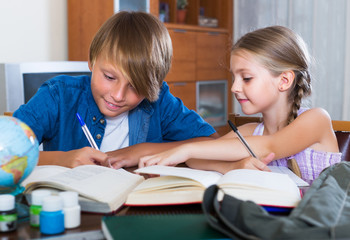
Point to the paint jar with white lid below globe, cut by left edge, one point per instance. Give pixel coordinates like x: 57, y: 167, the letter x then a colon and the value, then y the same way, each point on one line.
x: 8, y: 213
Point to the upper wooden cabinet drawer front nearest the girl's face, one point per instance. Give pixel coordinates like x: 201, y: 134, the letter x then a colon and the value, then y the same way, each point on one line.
x: 212, y: 56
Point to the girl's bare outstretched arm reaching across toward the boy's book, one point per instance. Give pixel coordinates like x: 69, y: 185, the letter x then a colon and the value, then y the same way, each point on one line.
x: 311, y: 129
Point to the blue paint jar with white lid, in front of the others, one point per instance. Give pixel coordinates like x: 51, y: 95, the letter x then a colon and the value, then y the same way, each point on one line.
x: 51, y: 215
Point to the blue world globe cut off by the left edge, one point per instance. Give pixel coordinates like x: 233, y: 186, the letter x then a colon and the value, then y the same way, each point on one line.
x: 19, y: 152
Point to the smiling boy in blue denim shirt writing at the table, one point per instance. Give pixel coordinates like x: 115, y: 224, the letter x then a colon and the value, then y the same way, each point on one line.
x: 124, y: 104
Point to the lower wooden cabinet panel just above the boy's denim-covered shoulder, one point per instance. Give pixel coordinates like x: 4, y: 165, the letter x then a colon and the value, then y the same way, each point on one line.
x: 186, y: 91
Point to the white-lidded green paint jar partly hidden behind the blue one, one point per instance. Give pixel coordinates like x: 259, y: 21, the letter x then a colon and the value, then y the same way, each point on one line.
x: 37, y: 197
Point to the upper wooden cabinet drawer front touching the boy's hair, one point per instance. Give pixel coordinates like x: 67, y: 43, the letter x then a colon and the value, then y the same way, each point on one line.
x: 184, y: 60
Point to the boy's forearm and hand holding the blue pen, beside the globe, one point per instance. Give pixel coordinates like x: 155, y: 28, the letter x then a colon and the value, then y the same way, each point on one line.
x: 73, y: 158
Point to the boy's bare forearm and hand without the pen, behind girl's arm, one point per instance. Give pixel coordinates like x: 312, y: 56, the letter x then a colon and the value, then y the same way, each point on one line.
x: 130, y: 156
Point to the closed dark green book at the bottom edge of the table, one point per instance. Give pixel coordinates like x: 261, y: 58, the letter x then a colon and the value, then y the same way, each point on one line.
x: 159, y: 226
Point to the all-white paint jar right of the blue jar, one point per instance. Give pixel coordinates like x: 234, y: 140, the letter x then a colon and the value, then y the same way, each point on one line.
x: 71, y: 209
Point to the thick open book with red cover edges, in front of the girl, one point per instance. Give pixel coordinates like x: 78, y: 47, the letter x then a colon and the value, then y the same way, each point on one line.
x: 177, y: 185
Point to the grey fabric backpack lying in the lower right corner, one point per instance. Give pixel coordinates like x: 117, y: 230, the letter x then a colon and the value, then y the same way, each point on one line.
x: 323, y: 212
